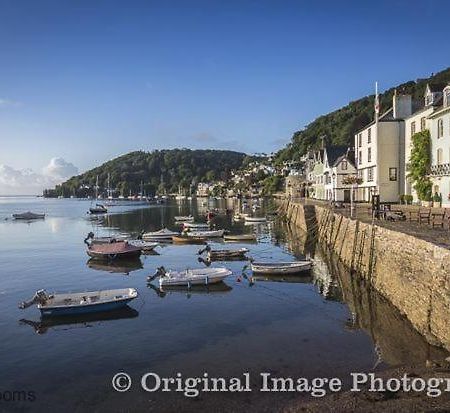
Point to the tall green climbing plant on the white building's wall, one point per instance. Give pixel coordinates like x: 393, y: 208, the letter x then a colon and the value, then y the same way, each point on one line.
x: 419, y: 164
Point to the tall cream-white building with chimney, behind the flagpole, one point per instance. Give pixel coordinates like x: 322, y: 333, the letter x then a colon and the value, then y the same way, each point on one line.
x: 380, y: 153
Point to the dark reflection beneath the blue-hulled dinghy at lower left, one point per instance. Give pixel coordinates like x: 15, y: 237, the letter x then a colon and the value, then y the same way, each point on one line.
x: 80, y: 321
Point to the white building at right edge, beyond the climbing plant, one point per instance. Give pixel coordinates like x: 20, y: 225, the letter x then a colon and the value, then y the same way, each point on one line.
x: 440, y: 148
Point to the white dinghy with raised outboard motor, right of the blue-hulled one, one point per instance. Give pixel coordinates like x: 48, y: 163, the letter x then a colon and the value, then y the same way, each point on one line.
x: 201, y: 276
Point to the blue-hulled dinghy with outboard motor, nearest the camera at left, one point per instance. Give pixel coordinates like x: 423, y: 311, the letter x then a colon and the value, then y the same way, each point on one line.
x: 80, y: 303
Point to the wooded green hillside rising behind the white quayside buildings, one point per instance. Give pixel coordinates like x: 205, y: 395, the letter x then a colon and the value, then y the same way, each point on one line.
x: 339, y: 127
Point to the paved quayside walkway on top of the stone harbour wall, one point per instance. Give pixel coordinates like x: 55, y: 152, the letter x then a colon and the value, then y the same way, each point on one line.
x: 438, y: 236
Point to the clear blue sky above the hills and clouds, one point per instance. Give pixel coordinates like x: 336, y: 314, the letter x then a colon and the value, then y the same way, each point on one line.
x: 86, y: 81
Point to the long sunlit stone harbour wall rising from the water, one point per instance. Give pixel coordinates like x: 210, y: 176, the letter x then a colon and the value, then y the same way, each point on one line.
x: 411, y: 273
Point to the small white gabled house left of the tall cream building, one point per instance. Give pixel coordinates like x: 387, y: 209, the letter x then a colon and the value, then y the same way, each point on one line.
x: 338, y: 162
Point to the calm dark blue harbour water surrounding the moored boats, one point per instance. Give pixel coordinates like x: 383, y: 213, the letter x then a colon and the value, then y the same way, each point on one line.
x: 324, y: 325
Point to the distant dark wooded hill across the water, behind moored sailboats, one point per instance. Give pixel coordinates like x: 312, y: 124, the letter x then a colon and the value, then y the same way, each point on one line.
x: 160, y: 171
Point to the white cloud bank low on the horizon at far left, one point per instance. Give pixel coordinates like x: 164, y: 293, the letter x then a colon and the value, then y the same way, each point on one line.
x: 27, y: 182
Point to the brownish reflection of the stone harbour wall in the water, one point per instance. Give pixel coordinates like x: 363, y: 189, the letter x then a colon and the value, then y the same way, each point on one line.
x: 395, y: 341
